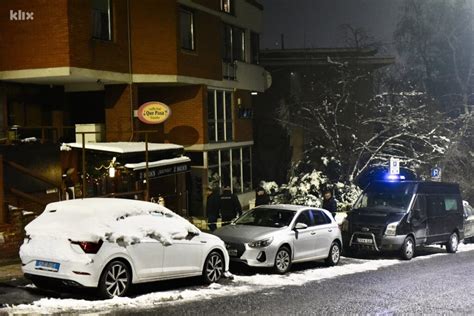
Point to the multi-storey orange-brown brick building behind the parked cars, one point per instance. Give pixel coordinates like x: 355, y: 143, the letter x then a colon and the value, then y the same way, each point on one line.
x: 69, y: 62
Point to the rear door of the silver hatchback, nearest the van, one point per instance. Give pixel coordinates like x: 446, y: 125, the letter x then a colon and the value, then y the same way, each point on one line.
x: 324, y: 232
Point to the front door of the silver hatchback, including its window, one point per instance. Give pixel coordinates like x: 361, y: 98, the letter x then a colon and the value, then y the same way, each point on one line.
x: 305, y: 239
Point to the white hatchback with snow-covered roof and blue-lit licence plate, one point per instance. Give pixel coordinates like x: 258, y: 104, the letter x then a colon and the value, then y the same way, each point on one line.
x: 110, y: 244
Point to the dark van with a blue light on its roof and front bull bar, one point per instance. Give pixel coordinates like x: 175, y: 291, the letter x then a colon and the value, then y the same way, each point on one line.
x: 399, y: 216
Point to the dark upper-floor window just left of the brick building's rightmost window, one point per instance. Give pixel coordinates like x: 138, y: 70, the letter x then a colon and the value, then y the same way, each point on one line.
x: 233, y: 44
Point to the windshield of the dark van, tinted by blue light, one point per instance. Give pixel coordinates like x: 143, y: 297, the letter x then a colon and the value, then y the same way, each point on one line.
x: 386, y: 197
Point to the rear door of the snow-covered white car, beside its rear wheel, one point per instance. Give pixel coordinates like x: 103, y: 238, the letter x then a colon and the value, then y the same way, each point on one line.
x: 147, y: 256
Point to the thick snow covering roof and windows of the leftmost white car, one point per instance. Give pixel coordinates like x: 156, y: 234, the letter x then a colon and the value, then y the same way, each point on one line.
x: 110, y: 219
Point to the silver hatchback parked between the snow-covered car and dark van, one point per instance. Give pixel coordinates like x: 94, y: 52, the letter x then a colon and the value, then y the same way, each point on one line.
x: 278, y: 235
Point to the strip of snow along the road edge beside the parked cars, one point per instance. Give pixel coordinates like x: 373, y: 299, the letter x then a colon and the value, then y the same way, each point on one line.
x: 240, y: 284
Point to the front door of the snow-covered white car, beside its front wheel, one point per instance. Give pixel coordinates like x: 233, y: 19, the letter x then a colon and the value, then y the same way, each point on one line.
x: 184, y: 256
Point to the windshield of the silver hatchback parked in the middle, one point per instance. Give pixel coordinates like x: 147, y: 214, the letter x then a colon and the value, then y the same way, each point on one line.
x: 267, y: 217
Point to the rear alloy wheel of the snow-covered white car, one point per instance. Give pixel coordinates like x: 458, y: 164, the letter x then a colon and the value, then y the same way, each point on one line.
x: 115, y: 279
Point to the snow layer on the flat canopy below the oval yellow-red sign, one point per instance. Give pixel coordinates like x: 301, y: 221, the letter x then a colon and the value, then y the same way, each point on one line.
x: 125, y: 147
